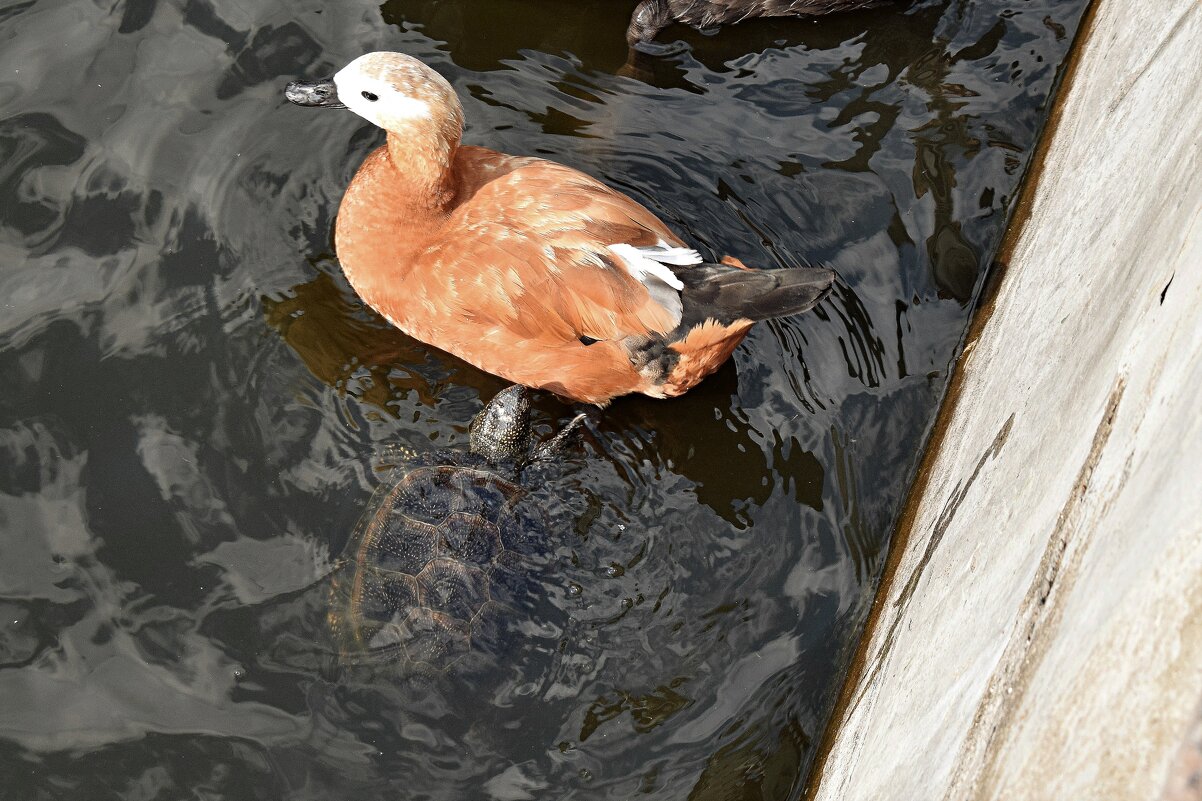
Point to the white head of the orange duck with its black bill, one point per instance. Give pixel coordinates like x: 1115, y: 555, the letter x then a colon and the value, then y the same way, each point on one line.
x: 394, y: 91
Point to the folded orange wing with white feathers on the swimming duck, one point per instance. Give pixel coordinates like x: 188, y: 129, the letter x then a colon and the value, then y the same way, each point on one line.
x: 549, y: 252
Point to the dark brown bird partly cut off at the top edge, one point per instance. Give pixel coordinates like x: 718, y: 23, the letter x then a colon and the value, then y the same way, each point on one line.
x: 652, y: 16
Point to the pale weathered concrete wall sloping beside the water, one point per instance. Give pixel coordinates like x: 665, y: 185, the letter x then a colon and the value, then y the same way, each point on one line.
x: 1039, y: 632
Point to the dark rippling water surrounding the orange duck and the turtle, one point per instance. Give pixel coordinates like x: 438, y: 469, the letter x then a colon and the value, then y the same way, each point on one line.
x: 193, y: 397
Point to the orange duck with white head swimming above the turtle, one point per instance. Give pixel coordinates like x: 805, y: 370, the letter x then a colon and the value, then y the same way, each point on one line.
x: 525, y: 268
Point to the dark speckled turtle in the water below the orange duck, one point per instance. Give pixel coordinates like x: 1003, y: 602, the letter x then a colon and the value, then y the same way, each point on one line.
x: 437, y: 562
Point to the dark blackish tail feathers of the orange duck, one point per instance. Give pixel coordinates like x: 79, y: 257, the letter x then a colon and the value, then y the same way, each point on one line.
x: 729, y: 294
